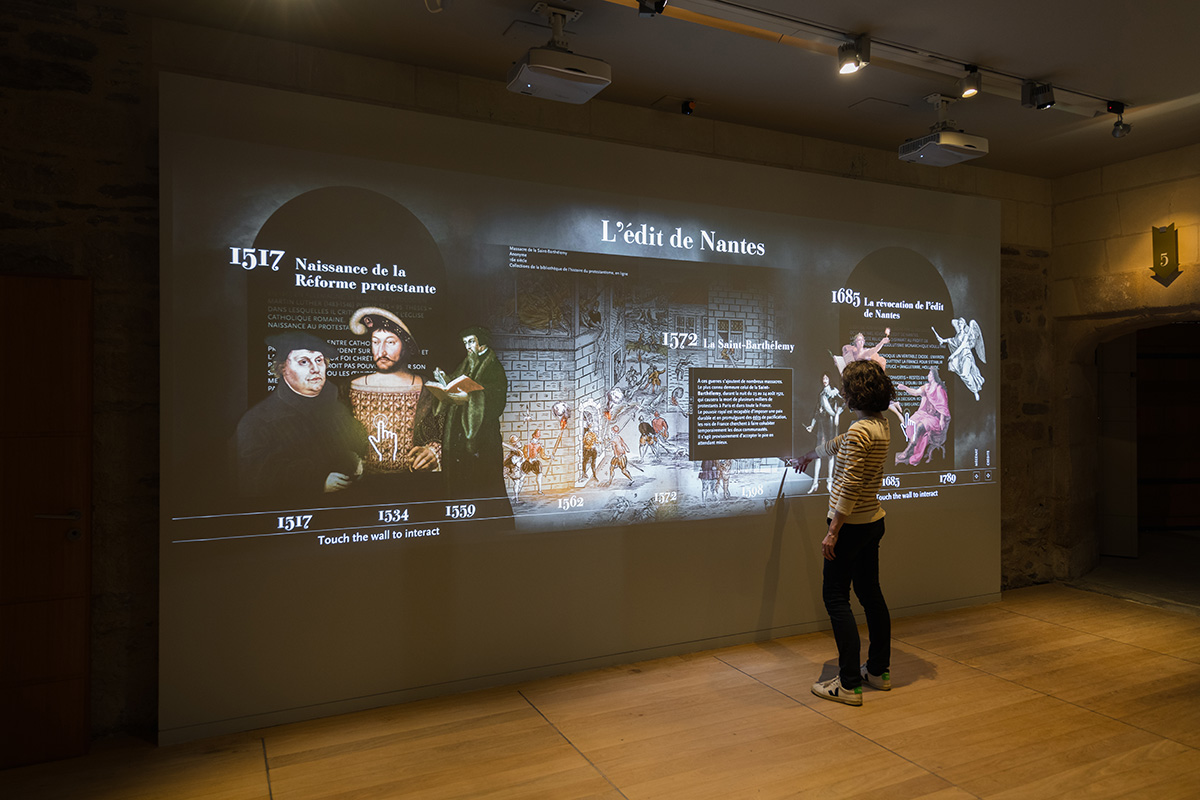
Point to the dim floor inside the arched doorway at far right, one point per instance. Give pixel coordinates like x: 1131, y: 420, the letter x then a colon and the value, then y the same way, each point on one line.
x: 1165, y: 574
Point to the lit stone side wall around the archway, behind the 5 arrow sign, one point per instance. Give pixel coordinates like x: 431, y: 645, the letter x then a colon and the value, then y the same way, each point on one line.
x: 1102, y: 287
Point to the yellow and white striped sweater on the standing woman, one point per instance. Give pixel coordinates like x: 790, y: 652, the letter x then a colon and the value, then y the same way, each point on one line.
x: 859, y: 470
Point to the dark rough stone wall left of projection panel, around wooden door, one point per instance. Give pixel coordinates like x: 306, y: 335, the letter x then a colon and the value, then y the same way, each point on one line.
x: 79, y: 170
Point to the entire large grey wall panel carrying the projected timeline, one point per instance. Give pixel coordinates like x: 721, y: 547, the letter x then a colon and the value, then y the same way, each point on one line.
x: 447, y: 402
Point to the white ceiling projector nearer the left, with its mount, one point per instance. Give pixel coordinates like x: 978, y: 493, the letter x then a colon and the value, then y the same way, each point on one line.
x: 554, y: 73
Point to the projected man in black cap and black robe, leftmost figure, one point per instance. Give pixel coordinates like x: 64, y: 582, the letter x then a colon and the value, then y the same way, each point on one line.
x: 301, y: 441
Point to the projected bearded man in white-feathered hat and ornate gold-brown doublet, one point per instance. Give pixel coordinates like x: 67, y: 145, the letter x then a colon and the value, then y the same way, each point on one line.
x: 404, y: 431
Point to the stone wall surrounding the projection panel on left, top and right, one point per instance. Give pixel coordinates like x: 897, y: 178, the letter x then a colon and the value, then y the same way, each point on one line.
x: 79, y: 166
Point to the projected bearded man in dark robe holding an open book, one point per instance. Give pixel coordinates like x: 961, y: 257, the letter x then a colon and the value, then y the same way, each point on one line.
x: 473, y: 399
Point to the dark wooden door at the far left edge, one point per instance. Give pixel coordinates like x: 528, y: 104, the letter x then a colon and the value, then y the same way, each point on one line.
x: 45, y: 519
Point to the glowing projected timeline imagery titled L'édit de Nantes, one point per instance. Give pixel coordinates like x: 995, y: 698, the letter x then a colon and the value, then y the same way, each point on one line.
x: 565, y: 362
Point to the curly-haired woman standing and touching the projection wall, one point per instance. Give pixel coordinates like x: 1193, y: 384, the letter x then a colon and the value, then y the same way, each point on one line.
x: 851, y: 548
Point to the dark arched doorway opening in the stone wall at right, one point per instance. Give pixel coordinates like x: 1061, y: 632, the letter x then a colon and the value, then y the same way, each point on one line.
x: 1150, y: 465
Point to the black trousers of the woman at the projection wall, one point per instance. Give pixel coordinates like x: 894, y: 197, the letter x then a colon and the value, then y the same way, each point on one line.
x: 857, y: 566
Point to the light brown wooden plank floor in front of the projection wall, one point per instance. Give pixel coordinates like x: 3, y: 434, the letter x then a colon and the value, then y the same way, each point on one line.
x: 1052, y: 693
